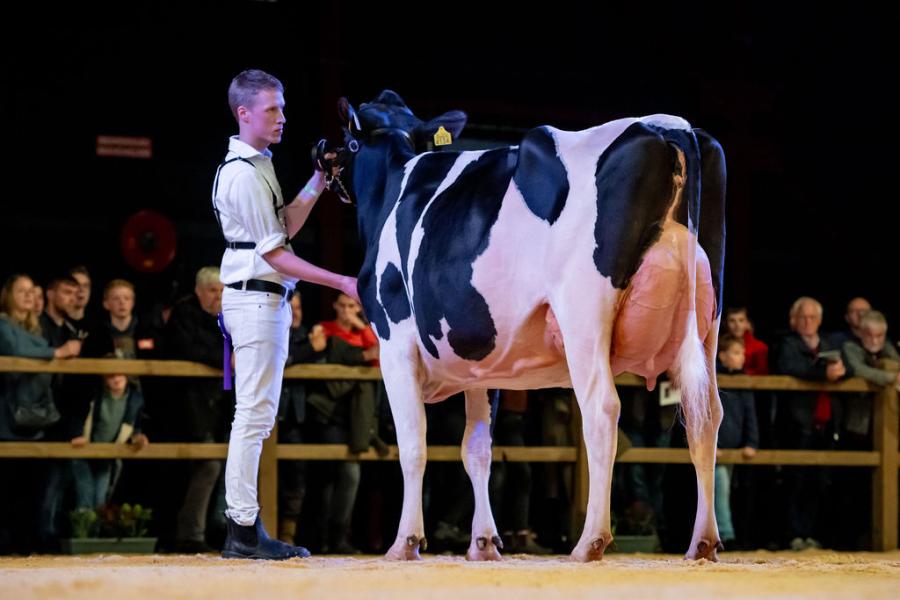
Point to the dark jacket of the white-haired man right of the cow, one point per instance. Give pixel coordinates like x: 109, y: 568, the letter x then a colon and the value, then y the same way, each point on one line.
x: 796, y: 359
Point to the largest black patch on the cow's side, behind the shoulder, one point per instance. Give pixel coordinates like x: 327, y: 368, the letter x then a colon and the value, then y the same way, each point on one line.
x: 457, y: 231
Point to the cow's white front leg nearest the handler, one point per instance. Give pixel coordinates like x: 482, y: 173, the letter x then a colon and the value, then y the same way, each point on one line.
x: 405, y: 396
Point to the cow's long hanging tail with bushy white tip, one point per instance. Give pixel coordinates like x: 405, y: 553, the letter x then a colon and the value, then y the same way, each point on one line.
x: 691, y: 369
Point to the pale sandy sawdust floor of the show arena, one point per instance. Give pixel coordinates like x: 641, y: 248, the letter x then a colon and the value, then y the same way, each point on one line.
x: 809, y: 574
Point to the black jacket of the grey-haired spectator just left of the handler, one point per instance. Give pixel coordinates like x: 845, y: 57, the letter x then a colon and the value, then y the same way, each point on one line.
x: 198, y: 408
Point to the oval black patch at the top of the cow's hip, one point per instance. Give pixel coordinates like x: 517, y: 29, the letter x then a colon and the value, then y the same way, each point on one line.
x: 541, y: 175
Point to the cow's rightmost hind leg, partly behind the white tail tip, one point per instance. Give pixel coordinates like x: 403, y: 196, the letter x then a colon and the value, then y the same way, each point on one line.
x: 702, y: 433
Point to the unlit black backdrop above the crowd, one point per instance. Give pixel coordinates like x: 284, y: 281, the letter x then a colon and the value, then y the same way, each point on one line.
x: 799, y: 98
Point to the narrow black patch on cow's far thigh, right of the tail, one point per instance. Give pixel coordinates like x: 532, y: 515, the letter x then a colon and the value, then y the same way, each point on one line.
x: 712, y: 209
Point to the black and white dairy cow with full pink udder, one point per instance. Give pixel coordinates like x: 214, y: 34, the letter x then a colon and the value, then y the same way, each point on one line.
x: 560, y: 262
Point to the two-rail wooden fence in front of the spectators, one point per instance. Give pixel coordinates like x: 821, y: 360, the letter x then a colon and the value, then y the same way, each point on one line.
x: 884, y: 458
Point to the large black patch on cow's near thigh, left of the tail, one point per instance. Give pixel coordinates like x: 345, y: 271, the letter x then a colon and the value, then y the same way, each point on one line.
x: 634, y: 191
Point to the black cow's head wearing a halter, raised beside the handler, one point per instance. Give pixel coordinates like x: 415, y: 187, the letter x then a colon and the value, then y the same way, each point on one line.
x: 388, y: 119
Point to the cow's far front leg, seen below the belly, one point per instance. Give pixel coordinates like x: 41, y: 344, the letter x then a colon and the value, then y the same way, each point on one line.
x: 476, y: 453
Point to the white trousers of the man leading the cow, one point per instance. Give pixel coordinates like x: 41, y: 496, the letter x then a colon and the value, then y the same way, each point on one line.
x: 258, y: 323
